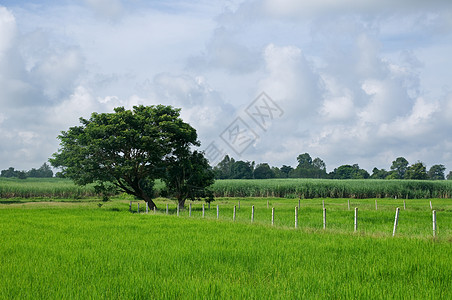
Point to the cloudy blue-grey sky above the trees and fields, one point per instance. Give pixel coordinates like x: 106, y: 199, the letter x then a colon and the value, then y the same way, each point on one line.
x: 349, y: 81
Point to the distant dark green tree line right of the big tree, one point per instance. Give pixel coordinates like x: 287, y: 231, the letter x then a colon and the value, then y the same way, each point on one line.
x: 307, y: 167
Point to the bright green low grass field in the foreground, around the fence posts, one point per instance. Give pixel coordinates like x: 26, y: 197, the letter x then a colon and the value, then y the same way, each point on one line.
x: 79, y: 251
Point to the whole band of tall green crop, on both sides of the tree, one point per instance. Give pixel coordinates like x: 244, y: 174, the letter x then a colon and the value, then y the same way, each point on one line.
x: 283, y: 188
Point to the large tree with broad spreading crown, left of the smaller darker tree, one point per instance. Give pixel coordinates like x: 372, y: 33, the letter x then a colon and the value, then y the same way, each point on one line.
x: 127, y: 148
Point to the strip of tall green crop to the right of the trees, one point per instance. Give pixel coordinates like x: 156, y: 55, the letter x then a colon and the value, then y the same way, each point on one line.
x: 323, y: 188
